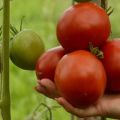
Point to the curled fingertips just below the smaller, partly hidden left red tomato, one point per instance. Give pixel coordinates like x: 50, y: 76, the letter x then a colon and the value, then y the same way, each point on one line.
x: 48, y: 88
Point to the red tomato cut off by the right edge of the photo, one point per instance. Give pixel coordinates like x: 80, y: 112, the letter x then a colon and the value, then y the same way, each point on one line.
x: 111, y: 62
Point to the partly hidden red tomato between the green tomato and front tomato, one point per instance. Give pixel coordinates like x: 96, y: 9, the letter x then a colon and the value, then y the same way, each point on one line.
x: 46, y: 64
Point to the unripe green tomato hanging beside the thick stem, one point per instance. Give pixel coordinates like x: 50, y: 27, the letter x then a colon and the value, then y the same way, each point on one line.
x: 25, y: 49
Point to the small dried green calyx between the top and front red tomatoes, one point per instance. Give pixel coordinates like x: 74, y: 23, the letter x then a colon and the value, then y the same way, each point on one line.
x: 96, y: 51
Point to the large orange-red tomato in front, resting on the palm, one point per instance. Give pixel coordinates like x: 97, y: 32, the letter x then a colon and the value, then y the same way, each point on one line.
x: 80, y: 78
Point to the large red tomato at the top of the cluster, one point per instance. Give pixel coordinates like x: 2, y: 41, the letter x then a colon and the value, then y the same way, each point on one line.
x: 81, y: 24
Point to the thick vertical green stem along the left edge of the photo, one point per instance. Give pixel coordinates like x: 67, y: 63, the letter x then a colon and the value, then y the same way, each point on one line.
x: 5, y: 58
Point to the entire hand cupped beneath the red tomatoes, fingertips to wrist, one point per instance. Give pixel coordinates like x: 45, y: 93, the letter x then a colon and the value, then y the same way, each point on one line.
x: 107, y: 105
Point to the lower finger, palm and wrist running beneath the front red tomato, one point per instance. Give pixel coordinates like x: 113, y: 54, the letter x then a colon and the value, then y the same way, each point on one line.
x: 107, y: 106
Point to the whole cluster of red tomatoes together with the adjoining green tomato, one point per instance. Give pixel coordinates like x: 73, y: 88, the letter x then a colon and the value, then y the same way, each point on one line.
x: 79, y: 75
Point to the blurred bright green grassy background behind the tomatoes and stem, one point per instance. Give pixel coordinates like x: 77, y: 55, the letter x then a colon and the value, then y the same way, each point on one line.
x: 41, y: 16
